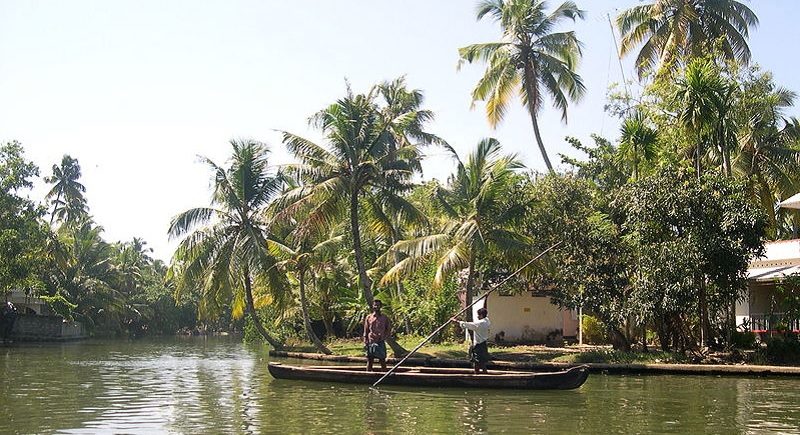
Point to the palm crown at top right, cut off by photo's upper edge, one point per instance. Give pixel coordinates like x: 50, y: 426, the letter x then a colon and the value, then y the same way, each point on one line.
x: 673, y: 30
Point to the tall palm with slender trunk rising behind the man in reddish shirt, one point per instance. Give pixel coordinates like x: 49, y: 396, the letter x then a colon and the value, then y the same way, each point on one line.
x: 372, y: 151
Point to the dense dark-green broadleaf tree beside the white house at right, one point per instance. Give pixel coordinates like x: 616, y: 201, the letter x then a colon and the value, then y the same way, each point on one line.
x: 692, y: 241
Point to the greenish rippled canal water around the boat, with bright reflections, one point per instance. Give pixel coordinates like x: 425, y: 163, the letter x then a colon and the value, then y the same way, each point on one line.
x: 218, y: 385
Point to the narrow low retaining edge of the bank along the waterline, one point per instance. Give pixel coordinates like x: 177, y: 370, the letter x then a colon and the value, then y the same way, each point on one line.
x: 743, y: 370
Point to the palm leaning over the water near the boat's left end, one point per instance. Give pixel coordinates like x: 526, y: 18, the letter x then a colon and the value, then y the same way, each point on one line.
x: 224, y: 253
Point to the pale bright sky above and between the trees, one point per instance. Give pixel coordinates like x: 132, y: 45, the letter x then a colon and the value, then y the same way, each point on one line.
x: 137, y: 90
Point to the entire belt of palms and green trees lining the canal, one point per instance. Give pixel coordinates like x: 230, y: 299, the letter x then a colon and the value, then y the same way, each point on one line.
x: 657, y: 227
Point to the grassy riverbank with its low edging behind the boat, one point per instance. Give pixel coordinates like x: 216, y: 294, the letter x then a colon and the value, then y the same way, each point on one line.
x: 600, y: 359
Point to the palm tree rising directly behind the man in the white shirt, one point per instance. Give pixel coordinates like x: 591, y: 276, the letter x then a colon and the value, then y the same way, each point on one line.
x: 479, y: 218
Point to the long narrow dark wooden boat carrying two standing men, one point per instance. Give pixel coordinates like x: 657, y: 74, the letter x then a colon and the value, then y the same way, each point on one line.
x: 436, y: 377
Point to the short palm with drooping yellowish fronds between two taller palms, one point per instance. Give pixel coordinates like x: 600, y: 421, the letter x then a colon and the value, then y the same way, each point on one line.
x: 303, y: 256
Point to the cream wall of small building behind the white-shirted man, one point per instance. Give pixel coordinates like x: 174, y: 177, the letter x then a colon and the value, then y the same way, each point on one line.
x: 529, y: 319
